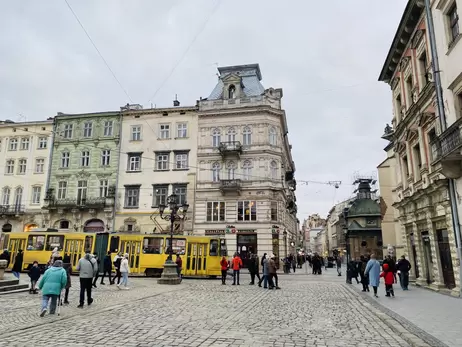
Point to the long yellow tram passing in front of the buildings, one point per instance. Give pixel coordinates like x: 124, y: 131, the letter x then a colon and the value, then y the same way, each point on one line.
x: 147, y: 252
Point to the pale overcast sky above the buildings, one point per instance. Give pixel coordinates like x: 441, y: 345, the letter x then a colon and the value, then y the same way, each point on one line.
x: 326, y: 55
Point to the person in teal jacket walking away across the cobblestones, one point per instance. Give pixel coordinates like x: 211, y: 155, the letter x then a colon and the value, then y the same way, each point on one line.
x: 52, y: 283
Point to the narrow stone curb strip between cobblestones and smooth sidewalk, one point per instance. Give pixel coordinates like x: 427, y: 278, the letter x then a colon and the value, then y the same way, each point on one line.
x: 413, y: 335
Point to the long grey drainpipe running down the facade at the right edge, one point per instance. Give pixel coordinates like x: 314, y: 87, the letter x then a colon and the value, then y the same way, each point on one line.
x: 443, y: 124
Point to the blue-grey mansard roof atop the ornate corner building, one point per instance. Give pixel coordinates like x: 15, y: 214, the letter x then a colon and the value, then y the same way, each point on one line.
x: 250, y: 76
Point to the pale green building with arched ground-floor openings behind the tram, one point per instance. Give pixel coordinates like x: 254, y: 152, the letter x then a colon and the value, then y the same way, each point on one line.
x: 82, y: 181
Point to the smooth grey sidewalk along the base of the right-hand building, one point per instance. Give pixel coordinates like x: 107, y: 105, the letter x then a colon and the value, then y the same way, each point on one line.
x: 436, y: 314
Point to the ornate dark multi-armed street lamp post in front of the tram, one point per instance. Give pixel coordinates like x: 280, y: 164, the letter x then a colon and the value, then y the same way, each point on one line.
x: 177, y: 213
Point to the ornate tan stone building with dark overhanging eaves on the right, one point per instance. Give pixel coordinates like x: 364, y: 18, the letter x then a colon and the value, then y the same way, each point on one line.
x: 424, y: 155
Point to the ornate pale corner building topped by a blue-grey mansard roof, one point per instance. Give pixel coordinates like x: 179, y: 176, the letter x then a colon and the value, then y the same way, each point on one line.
x: 245, y: 185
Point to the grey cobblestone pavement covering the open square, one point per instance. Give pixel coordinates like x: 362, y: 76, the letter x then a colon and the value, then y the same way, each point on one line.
x: 307, y: 311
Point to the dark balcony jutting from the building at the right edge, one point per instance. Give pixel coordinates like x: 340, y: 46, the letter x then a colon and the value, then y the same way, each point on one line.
x: 446, y: 150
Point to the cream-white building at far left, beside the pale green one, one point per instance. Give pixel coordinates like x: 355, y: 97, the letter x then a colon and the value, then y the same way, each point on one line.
x: 24, y: 157
